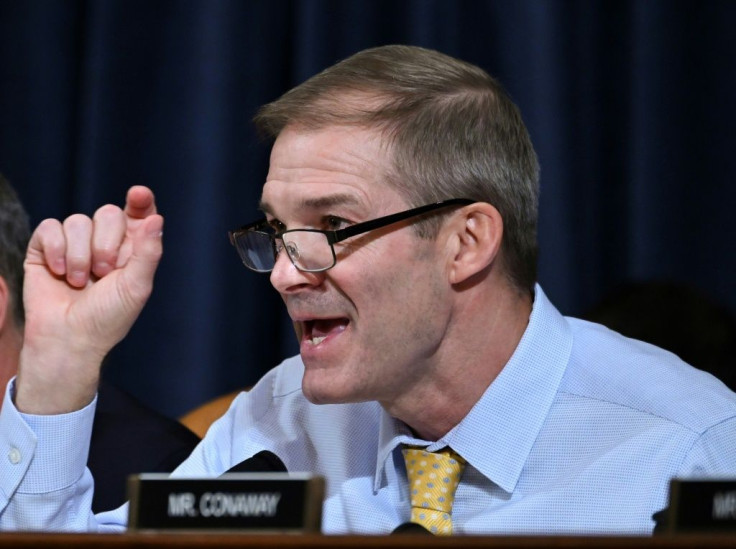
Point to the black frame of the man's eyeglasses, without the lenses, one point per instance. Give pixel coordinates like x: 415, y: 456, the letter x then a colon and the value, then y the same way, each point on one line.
x: 335, y: 236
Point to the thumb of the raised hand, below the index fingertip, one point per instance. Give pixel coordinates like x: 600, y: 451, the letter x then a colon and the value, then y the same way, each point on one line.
x: 147, y: 247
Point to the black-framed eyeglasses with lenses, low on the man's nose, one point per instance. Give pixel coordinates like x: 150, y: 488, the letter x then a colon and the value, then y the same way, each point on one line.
x: 311, y: 250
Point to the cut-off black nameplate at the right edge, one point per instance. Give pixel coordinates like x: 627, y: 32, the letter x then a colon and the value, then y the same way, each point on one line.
x: 702, y: 505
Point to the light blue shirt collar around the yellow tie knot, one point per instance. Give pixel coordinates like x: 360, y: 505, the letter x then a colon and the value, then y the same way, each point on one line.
x: 499, y: 431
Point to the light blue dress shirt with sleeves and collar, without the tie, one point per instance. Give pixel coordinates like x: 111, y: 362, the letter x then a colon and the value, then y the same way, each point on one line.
x: 580, y: 433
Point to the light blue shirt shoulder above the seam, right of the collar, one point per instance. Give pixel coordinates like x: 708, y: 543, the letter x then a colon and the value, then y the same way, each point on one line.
x: 609, y: 367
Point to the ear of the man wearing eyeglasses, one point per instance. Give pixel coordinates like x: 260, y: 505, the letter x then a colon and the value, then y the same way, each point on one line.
x: 478, y: 230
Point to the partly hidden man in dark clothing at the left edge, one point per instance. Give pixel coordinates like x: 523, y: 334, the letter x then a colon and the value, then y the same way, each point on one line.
x: 127, y: 437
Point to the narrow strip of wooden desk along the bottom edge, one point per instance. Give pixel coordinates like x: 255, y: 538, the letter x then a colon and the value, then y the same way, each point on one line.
x: 268, y: 541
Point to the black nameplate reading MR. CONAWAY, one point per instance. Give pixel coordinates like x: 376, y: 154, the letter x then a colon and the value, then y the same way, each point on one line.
x: 258, y: 502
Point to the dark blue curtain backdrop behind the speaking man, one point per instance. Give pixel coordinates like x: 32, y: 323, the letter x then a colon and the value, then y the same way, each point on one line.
x: 630, y: 104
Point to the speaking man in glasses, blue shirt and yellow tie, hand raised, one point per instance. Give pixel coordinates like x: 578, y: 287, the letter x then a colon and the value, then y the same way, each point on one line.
x: 423, y: 329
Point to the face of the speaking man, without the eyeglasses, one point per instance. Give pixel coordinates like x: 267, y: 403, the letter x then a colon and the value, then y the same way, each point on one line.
x: 371, y: 326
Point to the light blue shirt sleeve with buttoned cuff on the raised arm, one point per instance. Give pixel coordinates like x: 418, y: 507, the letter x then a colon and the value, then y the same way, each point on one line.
x: 44, y: 482
